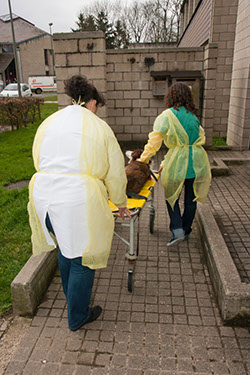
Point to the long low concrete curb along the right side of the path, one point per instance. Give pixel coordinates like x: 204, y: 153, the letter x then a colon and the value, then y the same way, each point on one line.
x: 233, y: 296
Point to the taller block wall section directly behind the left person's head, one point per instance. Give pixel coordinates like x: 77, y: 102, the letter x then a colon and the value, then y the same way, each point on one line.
x: 80, y: 53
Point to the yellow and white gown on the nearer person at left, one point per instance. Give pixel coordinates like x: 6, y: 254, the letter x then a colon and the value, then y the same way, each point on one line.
x: 78, y: 162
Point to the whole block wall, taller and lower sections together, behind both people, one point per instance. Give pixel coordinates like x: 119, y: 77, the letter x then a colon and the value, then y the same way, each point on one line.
x: 125, y: 78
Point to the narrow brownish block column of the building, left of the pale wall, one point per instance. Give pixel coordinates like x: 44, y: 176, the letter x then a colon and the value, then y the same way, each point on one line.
x: 222, y: 33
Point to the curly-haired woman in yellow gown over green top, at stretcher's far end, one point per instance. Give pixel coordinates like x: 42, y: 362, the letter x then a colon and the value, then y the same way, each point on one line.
x: 186, y: 162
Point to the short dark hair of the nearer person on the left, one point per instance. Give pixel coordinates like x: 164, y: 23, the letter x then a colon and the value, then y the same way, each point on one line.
x: 78, y: 87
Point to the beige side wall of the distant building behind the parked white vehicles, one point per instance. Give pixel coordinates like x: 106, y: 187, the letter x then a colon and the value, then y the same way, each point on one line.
x: 32, y: 56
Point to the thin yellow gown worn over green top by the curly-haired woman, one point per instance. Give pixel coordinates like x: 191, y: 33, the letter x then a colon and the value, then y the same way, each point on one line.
x: 176, y: 160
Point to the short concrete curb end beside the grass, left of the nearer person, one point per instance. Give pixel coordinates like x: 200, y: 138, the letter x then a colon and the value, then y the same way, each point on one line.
x: 32, y: 281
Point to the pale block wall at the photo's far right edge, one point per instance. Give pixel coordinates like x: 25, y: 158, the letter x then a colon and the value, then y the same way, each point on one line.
x: 238, y: 133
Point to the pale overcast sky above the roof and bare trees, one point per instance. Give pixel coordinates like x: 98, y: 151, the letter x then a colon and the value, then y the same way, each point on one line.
x: 62, y: 13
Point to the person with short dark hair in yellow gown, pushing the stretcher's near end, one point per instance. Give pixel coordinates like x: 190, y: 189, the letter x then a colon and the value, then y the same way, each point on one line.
x: 78, y: 162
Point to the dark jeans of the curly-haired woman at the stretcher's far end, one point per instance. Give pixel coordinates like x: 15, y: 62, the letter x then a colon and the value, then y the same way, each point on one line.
x: 186, y: 220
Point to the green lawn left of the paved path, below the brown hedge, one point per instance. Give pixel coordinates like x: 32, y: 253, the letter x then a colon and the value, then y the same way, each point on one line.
x: 16, y: 165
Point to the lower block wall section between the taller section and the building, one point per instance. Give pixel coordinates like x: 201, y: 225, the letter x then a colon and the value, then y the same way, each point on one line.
x: 132, y: 108
